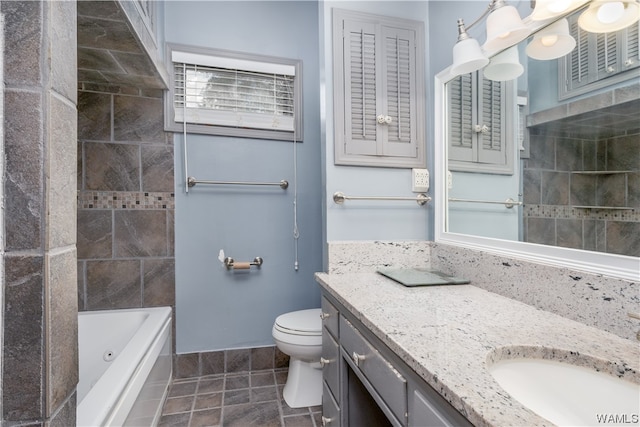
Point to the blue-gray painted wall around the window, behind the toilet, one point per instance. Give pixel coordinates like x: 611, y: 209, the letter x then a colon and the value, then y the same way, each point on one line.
x: 221, y: 309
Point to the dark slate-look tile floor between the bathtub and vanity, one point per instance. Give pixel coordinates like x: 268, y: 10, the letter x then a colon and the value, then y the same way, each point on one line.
x: 235, y: 399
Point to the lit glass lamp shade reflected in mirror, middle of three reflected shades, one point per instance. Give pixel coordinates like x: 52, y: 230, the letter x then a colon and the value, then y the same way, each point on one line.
x: 552, y: 42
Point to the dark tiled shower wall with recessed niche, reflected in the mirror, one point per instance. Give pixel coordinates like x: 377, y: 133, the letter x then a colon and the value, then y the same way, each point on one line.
x: 554, y: 187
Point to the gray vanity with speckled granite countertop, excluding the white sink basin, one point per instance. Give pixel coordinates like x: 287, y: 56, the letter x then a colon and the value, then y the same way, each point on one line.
x: 400, y: 356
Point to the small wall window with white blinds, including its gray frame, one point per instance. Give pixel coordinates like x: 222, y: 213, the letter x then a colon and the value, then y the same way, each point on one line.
x: 228, y: 93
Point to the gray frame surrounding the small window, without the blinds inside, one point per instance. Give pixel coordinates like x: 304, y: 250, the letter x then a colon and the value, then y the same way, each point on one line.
x: 171, y: 125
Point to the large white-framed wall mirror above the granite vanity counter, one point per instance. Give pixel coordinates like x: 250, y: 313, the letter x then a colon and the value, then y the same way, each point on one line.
x: 546, y: 166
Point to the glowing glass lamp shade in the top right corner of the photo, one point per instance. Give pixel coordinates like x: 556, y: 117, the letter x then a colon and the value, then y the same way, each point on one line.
x: 605, y: 16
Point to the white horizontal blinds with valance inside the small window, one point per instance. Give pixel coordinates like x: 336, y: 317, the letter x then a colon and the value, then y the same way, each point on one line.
x: 232, y: 92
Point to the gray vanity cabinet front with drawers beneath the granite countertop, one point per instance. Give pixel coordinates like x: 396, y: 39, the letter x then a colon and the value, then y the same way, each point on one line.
x: 365, y: 383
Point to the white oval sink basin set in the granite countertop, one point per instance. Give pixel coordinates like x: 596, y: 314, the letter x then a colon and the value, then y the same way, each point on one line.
x: 569, y: 395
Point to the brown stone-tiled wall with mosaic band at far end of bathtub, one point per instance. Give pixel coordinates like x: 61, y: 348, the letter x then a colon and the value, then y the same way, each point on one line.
x: 125, y: 199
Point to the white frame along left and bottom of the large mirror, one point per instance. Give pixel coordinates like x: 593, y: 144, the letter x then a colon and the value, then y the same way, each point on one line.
x: 617, y: 266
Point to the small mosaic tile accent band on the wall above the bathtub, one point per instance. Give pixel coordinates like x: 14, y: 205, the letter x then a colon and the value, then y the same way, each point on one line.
x: 125, y: 200
